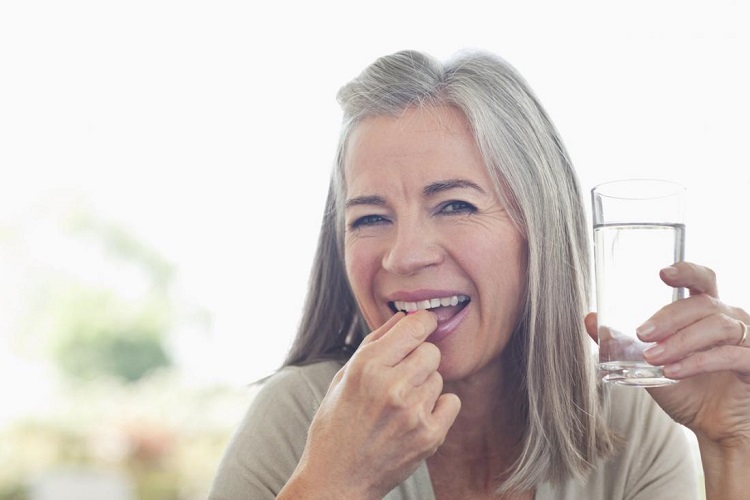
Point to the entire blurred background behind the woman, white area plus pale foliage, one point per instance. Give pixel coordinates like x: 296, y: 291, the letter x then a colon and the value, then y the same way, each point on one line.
x: 163, y: 167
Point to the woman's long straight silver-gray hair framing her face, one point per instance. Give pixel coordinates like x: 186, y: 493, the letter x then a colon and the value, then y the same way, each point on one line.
x: 525, y: 157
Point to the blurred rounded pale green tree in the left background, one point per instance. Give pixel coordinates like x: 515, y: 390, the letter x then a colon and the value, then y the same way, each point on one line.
x: 99, y: 299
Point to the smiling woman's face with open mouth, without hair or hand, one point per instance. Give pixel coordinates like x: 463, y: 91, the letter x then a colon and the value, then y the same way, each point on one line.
x: 425, y: 228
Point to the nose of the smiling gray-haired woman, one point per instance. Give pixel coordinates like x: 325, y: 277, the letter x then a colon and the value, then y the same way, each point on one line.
x: 413, y: 247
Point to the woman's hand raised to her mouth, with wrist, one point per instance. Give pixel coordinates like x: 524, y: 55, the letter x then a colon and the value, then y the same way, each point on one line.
x: 383, y: 413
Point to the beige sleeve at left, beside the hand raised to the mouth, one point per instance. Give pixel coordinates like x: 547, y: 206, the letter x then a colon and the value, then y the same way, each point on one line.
x: 266, y: 447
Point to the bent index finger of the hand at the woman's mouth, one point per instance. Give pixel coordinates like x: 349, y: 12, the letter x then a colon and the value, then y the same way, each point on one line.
x: 408, y: 333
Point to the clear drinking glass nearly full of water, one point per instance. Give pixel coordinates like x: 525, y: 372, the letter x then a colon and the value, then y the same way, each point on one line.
x: 638, y: 230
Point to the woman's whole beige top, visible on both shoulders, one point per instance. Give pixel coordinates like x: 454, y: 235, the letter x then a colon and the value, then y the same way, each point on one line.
x: 655, y: 462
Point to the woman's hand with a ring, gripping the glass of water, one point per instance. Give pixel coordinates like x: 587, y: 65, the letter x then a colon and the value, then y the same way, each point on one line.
x: 701, y: 342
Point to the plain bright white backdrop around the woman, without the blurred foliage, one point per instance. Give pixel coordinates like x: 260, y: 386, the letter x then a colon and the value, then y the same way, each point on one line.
x: 208, y: 128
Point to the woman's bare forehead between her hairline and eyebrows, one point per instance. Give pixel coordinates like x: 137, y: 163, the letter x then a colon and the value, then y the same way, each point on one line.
x: 422, y: 142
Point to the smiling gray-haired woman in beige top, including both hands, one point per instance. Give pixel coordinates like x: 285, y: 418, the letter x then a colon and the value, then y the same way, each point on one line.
x: 454, y: 233
